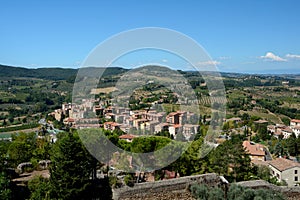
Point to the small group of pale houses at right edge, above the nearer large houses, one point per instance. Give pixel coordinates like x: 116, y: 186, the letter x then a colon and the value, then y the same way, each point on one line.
x: 284, y: 131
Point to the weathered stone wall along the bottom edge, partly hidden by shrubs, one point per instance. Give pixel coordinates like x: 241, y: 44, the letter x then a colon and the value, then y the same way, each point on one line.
x: 177, y: 189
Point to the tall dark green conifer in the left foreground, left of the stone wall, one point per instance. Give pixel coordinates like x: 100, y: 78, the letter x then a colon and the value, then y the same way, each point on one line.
x: 70, y: 168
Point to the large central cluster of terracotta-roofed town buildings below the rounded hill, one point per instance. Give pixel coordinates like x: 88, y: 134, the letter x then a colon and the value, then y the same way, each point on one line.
x: 137, y: 122
